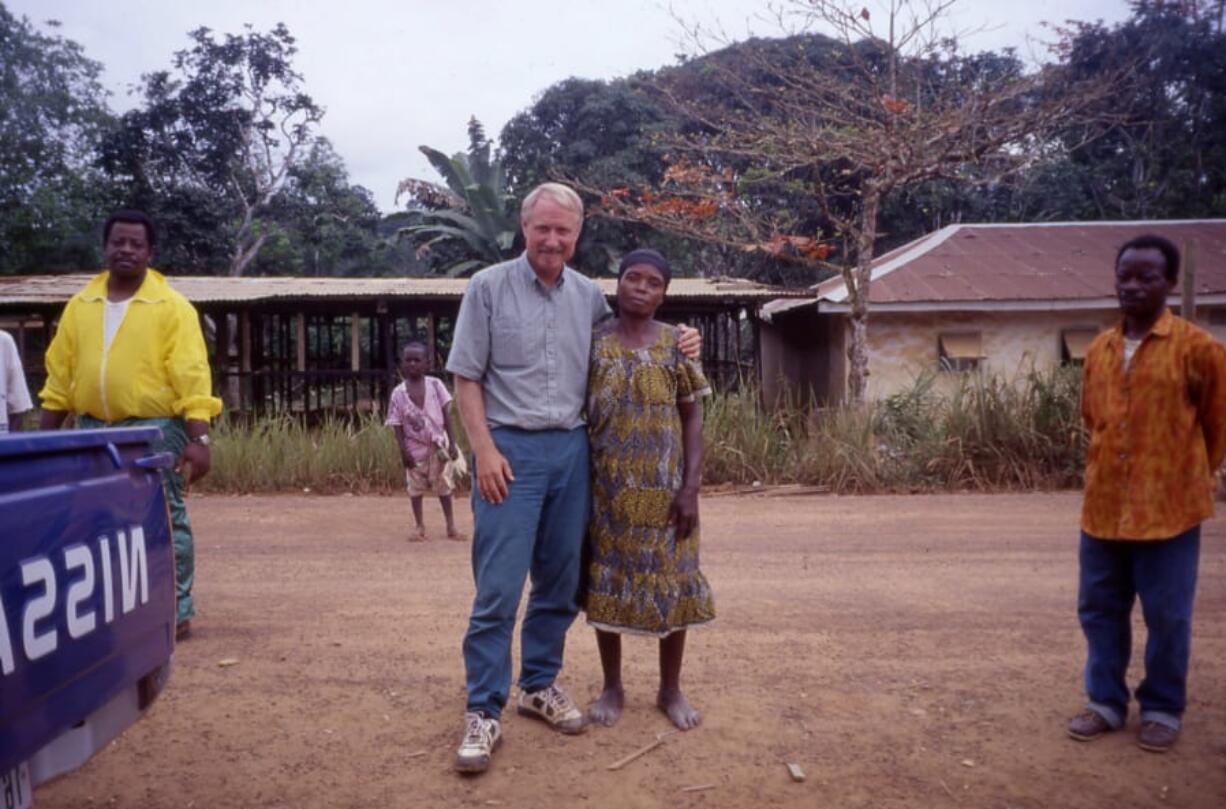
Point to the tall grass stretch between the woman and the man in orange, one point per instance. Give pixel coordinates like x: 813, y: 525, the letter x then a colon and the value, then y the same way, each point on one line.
x: 977, y: 433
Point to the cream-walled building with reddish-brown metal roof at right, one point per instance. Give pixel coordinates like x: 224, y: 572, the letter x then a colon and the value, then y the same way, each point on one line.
x: 1003, y: 298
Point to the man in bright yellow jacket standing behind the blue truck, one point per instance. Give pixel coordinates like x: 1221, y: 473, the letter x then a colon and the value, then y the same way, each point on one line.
x: 129, y: 351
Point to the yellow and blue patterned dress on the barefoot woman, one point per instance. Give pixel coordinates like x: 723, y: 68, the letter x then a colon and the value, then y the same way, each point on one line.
x: 641, y: 579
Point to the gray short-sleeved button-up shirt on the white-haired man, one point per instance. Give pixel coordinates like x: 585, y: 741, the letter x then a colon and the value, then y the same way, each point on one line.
x: 528, y: 345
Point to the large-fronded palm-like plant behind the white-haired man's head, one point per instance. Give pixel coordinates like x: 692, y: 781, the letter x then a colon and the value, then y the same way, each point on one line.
x: 471, y: 213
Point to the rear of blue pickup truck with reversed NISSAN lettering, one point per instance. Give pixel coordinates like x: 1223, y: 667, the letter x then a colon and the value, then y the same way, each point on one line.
x: 86, y: 593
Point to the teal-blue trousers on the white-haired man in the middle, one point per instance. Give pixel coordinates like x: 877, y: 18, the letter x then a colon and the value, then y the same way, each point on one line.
x: 539, y: 529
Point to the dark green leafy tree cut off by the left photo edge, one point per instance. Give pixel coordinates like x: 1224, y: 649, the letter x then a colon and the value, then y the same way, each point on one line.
x: 53, y: 112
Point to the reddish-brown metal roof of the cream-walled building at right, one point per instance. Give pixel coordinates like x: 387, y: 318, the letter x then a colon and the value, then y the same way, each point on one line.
x: 1062, y: 262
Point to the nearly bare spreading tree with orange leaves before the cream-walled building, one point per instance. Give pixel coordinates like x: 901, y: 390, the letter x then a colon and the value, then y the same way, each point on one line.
x: 882, y: 101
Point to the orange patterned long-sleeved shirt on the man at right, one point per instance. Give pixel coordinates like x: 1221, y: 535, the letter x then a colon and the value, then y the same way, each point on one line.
x: 1158, y: 431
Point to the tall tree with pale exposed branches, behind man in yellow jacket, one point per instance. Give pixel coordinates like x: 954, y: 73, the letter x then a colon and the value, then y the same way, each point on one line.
x: 214, y: 146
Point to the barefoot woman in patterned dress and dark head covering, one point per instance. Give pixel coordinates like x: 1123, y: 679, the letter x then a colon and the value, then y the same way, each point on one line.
x: 645, y: 425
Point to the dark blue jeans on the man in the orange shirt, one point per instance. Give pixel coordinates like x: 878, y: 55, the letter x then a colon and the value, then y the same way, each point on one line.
x: 1114, y: 574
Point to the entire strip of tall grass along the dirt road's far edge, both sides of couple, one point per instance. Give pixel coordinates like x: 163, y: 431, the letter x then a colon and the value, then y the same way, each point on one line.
x: 945, y: 433
